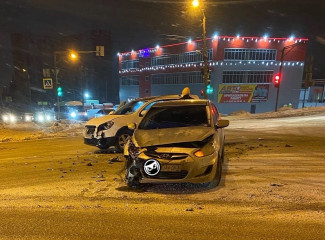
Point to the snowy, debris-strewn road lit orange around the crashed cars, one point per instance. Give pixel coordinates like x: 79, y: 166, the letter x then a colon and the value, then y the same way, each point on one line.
x: 273, y: 188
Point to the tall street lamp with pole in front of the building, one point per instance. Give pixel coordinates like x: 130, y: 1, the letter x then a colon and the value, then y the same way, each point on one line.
x: 195, y: 4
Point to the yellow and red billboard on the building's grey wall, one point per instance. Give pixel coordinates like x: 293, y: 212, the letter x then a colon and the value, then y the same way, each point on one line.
x: 243, y: 93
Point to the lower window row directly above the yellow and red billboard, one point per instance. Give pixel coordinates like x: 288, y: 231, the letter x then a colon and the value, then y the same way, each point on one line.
x: 247, y: 76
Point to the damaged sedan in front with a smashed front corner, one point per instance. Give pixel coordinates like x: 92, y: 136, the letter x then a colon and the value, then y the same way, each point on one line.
x: 177, y: 141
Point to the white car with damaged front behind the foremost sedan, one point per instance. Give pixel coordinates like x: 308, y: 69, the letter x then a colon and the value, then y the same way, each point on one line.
x: 112, y: 130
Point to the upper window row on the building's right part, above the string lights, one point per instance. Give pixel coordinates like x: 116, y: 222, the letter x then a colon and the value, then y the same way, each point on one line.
x: 250, y: 54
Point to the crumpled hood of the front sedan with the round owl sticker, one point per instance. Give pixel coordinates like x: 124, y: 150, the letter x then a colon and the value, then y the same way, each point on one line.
x: 154, y: 137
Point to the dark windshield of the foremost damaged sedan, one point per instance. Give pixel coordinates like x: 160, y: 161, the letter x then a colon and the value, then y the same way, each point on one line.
x: 174, y: 116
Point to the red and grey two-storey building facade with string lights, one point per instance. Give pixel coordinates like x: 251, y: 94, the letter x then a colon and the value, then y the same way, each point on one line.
x: 241, y: 71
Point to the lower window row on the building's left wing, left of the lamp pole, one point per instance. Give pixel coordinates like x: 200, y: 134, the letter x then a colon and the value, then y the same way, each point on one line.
x: 177, y: 78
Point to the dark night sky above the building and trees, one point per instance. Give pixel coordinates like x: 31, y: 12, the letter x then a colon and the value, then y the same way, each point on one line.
x: 137, y: 24
